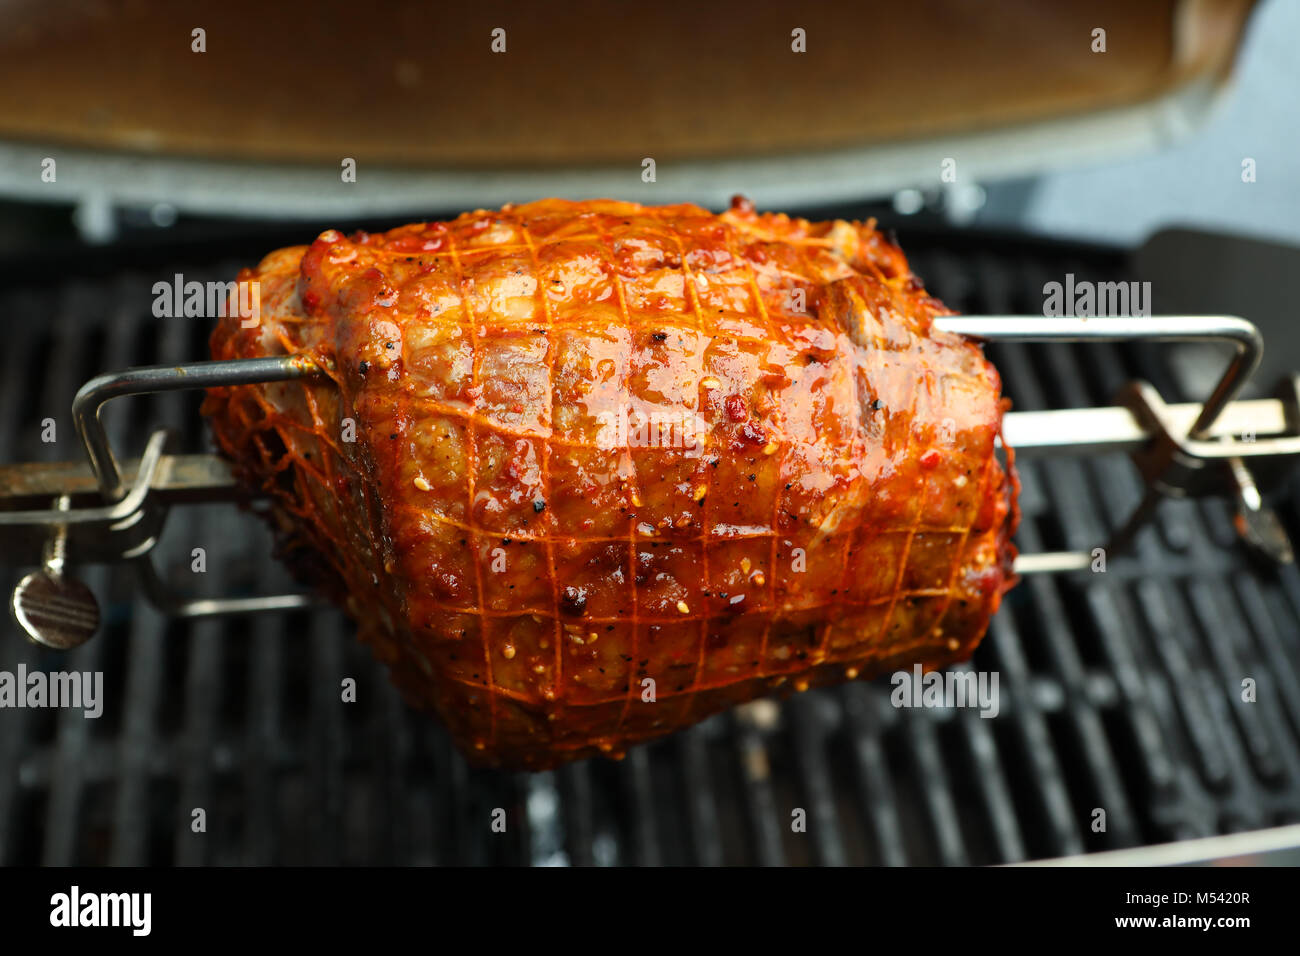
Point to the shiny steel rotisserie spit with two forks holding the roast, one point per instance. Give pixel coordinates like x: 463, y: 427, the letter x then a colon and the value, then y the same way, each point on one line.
x: 106, y: 513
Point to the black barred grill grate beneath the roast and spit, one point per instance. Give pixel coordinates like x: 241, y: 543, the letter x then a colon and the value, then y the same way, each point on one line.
x: 1117, y: 693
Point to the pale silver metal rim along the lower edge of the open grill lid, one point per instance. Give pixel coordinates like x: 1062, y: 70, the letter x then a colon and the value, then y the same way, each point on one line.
x: 101, y: 180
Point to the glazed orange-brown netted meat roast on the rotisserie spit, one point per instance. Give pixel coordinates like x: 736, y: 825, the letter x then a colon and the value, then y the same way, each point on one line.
x: 605, y: 449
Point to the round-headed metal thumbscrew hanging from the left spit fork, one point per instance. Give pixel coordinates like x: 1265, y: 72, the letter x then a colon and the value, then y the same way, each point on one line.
x: 55, y: 611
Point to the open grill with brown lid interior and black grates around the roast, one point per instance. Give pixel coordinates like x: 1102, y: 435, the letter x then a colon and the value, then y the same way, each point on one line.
x: 1139, y: 708
